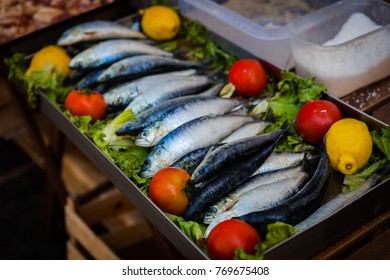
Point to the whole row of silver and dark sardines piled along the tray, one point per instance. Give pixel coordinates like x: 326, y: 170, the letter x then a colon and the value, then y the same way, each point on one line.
x: 181, y: 118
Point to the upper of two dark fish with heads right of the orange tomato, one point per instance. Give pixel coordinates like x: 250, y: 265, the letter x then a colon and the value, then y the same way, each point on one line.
x: 229, y: 153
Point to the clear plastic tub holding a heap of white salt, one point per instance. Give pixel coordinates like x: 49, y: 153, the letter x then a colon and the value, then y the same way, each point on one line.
x: 348, y: 66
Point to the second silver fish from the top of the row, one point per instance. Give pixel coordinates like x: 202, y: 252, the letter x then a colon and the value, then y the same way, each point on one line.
x: 108, y: 52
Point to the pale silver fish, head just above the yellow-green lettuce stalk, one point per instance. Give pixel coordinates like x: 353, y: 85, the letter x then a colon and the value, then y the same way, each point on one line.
x: 160, y: 93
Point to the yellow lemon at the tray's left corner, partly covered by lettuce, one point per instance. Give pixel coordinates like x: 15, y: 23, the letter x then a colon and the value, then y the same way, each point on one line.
x: 53, y: 55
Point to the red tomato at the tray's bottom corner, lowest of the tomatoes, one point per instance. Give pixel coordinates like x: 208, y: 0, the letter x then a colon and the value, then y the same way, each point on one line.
x: 229, y: 235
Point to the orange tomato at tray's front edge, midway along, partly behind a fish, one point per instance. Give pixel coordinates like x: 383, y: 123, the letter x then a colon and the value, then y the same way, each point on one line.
x: 167, y: 190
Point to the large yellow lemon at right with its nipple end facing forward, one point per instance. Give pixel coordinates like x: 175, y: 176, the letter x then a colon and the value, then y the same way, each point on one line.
x: 349, y: 145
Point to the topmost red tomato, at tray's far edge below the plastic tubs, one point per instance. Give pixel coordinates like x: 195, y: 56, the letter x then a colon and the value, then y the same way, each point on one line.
x: 248, y: 76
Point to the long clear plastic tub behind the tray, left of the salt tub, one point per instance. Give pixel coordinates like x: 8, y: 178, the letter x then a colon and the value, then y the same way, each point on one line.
x: 255, y: 31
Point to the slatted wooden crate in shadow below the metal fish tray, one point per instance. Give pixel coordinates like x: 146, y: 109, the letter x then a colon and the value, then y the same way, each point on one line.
x: 90, y: 238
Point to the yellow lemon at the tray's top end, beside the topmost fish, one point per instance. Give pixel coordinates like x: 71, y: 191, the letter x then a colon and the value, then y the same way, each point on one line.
x: 160, y: 22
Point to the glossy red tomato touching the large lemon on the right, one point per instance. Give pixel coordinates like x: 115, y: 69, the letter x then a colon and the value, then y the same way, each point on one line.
x: 315, y: 118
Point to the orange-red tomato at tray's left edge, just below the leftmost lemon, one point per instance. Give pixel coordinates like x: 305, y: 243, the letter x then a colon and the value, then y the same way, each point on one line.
x: 86, y: 102
